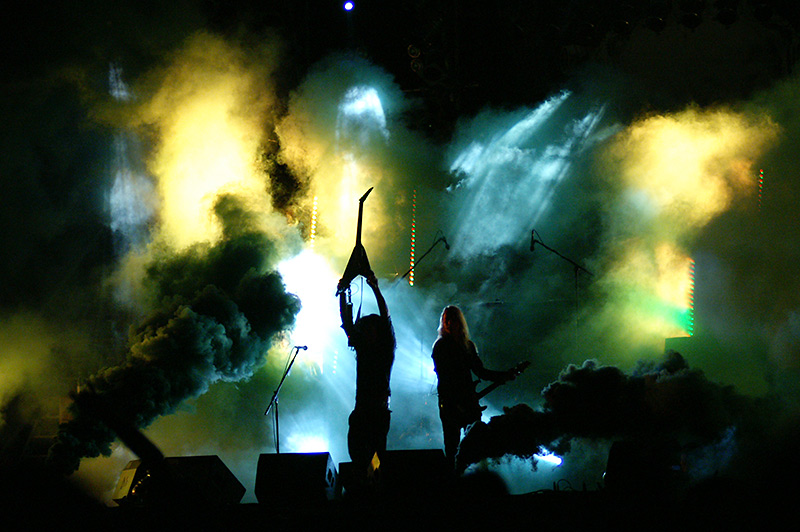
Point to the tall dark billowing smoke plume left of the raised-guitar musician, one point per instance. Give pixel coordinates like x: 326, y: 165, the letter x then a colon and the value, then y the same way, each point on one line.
x: 221, y: 308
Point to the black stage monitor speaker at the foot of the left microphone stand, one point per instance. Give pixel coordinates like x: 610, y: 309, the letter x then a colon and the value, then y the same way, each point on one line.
x: 295, y: 478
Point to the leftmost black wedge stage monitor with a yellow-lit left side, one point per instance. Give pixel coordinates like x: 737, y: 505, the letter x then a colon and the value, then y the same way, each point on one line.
x: 192, y: 480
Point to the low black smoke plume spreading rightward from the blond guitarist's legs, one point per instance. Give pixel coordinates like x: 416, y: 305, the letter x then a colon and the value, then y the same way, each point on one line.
x: 666, y: 402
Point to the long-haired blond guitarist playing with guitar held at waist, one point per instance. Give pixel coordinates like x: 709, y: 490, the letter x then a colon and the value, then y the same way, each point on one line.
x: 455, y: 360
